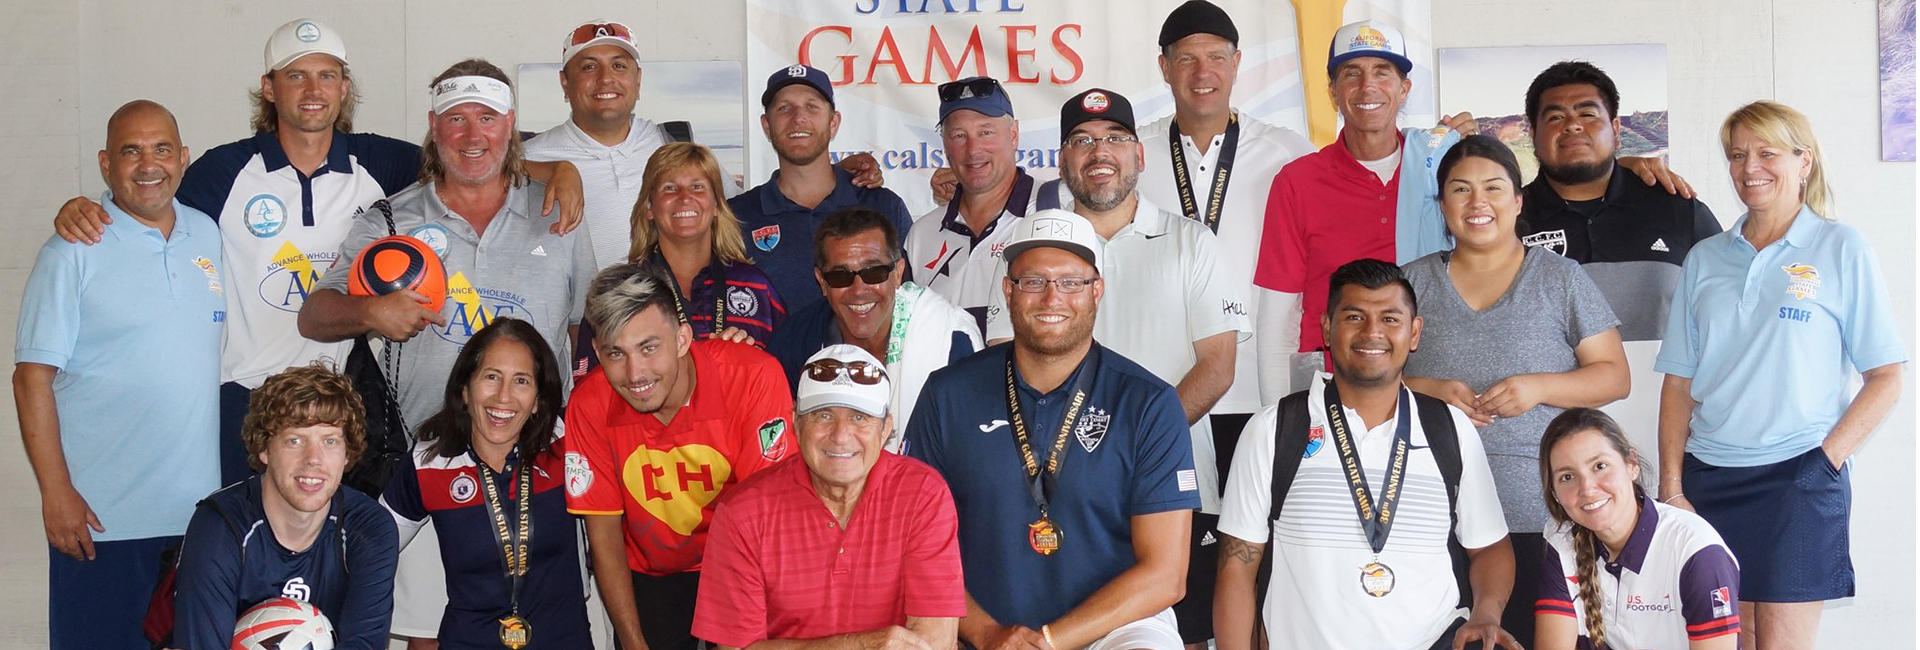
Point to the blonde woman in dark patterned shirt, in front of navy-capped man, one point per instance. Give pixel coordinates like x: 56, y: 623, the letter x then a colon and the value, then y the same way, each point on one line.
x: 683, y: 223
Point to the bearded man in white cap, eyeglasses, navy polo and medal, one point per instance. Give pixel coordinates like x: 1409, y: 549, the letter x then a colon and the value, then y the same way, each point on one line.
x: 1068, y: 465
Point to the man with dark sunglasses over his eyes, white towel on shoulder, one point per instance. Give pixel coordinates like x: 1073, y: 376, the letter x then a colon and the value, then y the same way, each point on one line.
x: 859, y: 269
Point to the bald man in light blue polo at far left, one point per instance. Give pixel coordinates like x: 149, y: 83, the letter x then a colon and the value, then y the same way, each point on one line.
x: 116, y: 379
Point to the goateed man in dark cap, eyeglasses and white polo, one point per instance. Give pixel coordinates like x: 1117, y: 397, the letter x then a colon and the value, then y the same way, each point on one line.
x: 1166, y: 287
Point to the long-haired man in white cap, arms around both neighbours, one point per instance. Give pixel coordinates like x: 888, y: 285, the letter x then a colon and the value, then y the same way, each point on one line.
x: 285, y: 200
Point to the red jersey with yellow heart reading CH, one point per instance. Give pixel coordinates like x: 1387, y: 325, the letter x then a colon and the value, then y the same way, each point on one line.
x: 665, y: 478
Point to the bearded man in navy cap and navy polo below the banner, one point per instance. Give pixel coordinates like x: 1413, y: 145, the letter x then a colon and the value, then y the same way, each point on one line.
x: 779, y: 216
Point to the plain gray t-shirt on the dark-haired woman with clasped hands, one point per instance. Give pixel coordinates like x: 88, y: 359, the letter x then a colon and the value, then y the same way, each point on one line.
x: 1535, y: 327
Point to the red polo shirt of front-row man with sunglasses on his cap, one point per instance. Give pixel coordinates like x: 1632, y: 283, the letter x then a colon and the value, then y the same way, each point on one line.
x: 782, y: 567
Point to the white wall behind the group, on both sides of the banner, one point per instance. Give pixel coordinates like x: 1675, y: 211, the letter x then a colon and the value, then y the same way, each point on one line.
x: 201, y: 58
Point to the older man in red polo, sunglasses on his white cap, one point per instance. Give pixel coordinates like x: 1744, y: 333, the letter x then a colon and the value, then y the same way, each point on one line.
x: 853, y: 546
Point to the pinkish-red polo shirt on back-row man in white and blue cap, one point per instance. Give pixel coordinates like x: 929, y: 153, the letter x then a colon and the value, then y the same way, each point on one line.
x: 1324, y: 212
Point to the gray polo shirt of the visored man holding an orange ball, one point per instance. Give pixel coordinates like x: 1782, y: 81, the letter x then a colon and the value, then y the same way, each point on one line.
x: 517, y: 269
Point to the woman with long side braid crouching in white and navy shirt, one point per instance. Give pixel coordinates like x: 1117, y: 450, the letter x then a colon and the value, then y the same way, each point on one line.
x: 1621, y: 570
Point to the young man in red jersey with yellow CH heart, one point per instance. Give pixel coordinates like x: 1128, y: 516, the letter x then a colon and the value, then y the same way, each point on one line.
x: 654, y: 440
